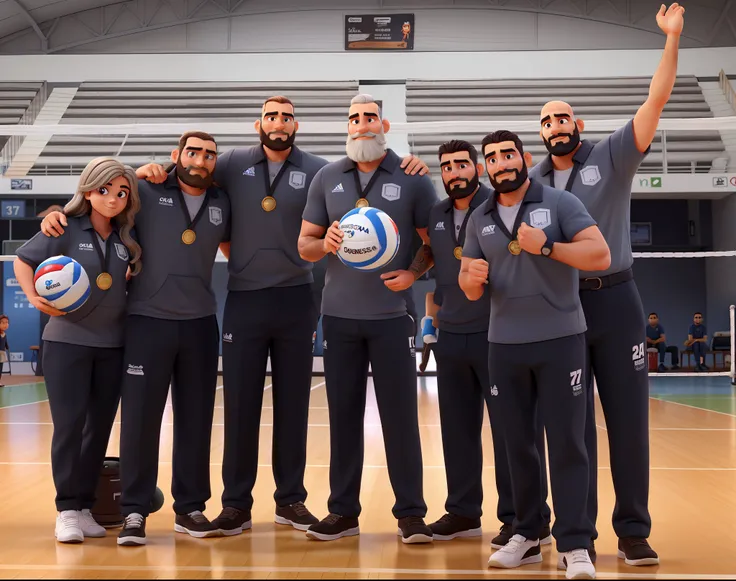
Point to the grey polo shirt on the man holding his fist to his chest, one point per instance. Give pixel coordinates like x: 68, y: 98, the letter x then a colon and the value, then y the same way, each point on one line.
x: 533, y: 297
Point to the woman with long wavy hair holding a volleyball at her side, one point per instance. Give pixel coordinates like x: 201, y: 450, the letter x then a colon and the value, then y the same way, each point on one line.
x: 83, y: 350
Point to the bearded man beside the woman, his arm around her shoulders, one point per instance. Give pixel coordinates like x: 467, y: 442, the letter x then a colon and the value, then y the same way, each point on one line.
x: 171, y: 338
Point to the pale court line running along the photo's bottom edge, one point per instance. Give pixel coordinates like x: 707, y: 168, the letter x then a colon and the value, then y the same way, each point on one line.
x: 351, y: 571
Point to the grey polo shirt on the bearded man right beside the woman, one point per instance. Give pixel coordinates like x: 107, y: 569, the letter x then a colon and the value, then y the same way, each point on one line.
x: 176, y: 281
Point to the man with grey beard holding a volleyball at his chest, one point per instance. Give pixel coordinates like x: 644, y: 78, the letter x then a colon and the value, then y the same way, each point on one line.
x: 365, y: 322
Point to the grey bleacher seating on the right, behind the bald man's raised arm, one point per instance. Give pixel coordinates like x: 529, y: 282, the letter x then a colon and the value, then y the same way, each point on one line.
x: 591, y: 98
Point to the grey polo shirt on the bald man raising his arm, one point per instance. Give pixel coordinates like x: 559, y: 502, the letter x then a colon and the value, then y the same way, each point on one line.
x: 601, y: 177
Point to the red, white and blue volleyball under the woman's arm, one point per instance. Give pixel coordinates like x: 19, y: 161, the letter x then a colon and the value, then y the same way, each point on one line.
x: 62, y: 281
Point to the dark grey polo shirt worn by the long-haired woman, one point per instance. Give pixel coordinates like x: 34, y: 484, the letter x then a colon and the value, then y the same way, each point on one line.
x: 100, y: 321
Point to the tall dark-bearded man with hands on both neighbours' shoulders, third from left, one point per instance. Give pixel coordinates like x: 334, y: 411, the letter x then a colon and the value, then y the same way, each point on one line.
x: 270, y: 310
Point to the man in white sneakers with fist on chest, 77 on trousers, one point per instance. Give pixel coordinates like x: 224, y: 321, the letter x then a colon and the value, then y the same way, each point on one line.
x: 525, y: 243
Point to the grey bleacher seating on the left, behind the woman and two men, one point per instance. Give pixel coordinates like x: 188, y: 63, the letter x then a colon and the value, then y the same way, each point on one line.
x: 122, y: 103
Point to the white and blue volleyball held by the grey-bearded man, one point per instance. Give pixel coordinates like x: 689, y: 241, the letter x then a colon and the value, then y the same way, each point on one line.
x: 371, y: 239
